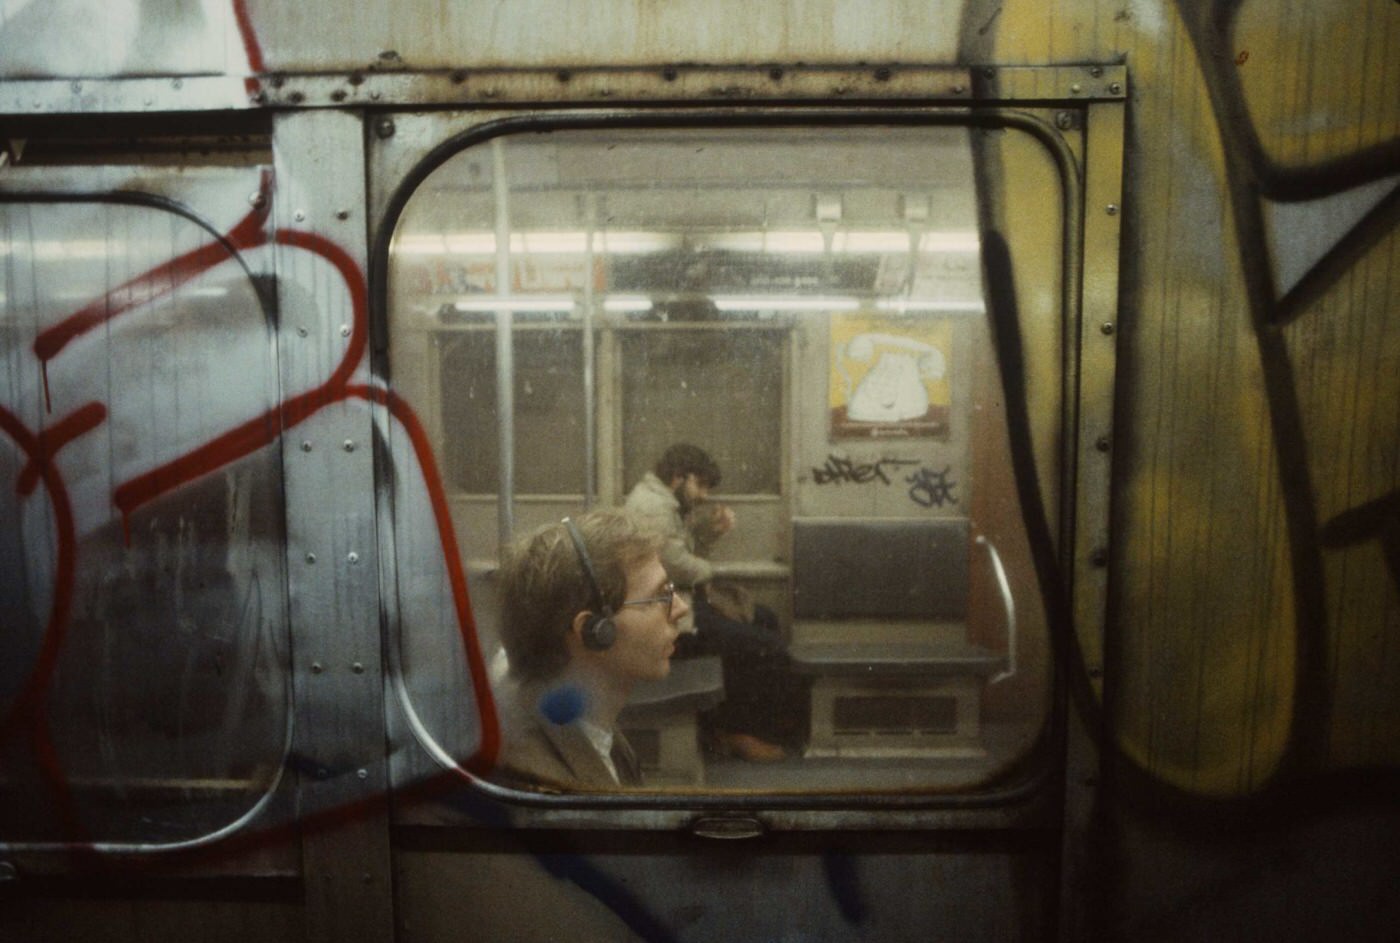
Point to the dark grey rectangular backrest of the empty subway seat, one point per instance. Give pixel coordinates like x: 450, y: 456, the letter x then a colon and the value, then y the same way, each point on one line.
x: 880, y: 567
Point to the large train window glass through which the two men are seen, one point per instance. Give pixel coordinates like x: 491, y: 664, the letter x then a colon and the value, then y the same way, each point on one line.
x: 803, y: 311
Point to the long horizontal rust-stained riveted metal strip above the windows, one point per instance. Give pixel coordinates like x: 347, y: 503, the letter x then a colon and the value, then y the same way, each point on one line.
x: 597, y: 86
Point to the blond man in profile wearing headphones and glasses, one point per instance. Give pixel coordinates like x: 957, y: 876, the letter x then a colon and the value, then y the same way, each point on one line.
x: 587, y: 612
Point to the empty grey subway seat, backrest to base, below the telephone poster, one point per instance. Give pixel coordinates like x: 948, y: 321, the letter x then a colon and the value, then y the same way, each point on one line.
x: 881, y: 628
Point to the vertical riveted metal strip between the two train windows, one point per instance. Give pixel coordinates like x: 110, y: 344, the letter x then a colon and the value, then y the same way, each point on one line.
x: 331, y: 541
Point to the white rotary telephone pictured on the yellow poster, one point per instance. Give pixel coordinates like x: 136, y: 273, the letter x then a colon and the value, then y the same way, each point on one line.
x: 894, y: 390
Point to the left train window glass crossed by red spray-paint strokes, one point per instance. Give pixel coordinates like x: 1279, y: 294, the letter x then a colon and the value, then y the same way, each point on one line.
x: 143, y: 678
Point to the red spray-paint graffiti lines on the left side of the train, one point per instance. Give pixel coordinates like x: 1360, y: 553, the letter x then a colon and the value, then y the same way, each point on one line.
x: 27, y: 718
